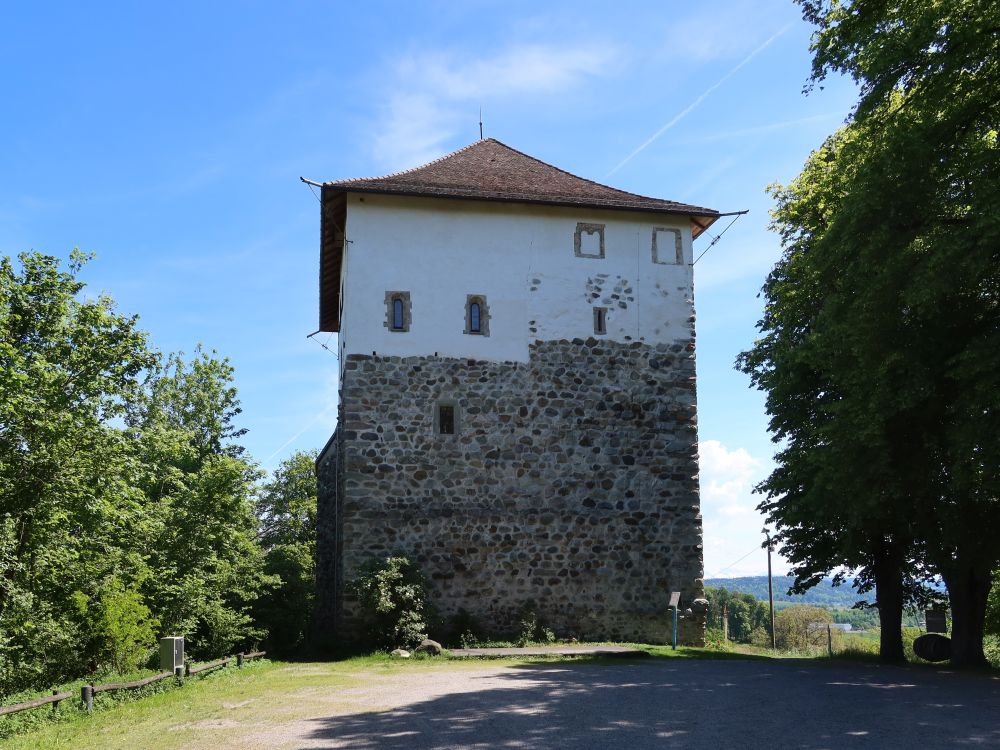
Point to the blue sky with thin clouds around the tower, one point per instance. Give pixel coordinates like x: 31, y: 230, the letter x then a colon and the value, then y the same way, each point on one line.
x: 168, y: 139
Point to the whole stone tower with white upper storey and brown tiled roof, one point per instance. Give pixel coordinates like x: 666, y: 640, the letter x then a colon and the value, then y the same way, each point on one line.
x: 517, y: 395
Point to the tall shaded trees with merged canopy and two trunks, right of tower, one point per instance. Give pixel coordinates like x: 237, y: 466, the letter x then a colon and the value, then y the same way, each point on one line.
x: 880, y: 338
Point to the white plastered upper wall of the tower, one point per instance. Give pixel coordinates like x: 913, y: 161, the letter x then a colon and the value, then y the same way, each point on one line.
x: 521, y: 258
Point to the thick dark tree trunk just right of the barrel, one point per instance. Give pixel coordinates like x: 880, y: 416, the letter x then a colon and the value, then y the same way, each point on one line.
x: 968, y: 589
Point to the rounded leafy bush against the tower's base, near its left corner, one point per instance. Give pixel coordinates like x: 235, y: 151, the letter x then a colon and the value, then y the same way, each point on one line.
x: 392, y: 593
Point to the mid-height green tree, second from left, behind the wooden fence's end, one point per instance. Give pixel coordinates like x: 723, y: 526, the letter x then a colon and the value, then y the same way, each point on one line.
x: 206, y: 562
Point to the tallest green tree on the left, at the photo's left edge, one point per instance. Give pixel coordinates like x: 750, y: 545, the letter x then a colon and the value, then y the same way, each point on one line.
x: 69, y: 516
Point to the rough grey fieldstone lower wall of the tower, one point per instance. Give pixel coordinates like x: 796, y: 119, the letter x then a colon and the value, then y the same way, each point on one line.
x: 571, y: 485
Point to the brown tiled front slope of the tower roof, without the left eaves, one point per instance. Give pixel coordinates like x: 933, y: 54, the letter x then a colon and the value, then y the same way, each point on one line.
x: 490, y: 170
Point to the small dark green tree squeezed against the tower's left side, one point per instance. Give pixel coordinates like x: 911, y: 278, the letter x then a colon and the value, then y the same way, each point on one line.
x: 286, y: 512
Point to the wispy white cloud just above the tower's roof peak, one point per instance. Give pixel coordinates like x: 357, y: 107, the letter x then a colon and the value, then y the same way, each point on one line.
x: 434, y: 96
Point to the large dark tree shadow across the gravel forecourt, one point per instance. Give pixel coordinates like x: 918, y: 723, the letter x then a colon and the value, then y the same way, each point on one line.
x: 683, y: 704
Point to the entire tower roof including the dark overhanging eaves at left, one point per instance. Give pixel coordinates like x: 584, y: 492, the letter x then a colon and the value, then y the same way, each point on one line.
x: 486, y: 170
